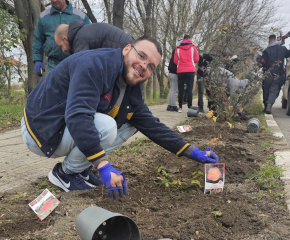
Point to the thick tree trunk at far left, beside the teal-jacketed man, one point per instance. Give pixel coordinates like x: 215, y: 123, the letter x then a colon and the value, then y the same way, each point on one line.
x: 28, y: 12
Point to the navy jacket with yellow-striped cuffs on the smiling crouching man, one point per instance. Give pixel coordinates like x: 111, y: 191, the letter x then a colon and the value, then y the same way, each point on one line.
x: 77, y: 88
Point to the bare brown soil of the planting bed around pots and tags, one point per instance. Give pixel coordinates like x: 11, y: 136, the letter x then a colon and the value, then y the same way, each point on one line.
x: 179, y: 212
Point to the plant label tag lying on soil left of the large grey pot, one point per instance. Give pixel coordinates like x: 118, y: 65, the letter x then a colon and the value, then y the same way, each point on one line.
x: 44, y: 204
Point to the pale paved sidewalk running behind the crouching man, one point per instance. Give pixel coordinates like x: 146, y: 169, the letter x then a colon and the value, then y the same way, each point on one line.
x: 19, y: 166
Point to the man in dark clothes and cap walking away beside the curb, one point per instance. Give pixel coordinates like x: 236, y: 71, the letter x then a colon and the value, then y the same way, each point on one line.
x: 273, y: 62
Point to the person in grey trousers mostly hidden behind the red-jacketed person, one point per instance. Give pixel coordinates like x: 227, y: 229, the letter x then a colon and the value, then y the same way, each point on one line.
x: 173, y: 78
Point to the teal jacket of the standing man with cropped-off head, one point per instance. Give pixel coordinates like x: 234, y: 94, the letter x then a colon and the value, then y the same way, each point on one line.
x: 49, y: 20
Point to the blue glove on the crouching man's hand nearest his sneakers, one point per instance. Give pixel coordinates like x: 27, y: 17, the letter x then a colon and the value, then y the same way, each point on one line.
x: 105, y: 173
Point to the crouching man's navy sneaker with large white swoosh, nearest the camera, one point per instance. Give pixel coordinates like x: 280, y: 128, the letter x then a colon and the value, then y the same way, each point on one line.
x: 68, y: 182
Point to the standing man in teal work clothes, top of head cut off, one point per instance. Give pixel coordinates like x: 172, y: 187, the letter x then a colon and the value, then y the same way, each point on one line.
x: 61, y: 11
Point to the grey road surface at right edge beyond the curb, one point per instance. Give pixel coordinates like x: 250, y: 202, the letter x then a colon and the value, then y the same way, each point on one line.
x: 281, y: 118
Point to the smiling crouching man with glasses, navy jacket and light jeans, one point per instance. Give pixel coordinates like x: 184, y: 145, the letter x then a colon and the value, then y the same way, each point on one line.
x: 89, y: 105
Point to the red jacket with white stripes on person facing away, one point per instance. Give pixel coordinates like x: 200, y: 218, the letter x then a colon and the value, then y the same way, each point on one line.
x: 185, y: 56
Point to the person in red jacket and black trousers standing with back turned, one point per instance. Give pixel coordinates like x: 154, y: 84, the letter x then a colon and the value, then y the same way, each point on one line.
x: 185, y: 57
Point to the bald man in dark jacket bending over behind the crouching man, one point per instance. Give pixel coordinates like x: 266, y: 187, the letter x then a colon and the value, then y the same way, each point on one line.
x: 77, y: 36
